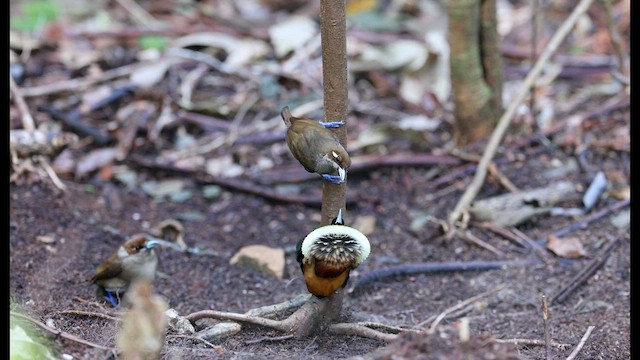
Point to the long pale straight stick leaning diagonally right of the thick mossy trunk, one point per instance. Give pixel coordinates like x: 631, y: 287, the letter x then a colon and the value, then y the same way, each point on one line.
x: 496, y: 137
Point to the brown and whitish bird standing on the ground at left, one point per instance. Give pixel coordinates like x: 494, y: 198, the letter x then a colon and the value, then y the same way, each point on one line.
x: 135, y: 259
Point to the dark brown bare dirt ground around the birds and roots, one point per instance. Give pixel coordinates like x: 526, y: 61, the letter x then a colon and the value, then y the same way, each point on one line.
x: 50, y: 278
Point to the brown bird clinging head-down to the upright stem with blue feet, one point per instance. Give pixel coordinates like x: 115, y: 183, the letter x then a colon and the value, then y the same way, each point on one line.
x: 316, y: 147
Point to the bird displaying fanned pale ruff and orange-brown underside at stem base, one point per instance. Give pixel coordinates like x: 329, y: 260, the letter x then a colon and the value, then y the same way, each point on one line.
x: 328, y: 254
